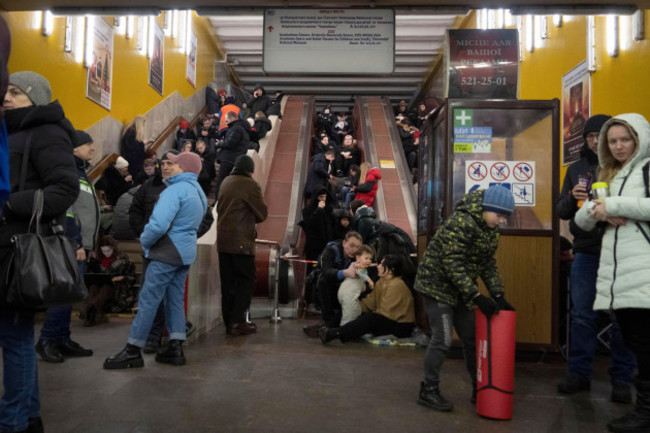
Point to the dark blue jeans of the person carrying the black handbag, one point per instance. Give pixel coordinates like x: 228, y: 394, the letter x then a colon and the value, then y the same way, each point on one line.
x: 20, y: 400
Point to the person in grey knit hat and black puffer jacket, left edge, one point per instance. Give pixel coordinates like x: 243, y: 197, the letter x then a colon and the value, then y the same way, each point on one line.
x: 30, y: 118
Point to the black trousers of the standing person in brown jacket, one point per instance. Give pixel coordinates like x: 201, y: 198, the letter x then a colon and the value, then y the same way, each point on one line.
x: 237, y: 285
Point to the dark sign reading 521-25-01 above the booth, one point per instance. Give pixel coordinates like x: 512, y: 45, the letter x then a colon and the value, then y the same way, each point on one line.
x: 482, y: 64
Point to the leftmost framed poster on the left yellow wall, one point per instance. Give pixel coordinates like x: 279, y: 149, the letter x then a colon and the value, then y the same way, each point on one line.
x: 100, y: 72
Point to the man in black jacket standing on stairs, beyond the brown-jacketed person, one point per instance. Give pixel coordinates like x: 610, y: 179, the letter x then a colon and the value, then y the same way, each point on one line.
x: 236, y: 142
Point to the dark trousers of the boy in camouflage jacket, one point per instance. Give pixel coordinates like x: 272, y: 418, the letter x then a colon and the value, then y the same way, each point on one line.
x: 441, y: 318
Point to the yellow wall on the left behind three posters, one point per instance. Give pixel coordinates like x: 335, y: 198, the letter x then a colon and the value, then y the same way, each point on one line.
x: 132, y: 94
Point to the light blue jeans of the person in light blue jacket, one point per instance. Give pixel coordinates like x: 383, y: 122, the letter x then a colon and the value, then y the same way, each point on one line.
x: 162, y: 282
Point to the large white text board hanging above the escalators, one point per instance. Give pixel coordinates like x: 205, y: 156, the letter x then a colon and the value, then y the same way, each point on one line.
x: 329, y: 41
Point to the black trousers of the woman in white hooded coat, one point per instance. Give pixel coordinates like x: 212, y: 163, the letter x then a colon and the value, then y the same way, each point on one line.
x: 633, y: 323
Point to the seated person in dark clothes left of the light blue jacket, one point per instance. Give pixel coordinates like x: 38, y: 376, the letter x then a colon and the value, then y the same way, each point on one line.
x: 111, y: 282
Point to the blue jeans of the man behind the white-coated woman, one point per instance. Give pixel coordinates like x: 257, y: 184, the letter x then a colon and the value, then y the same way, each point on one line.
x: 584, y: 325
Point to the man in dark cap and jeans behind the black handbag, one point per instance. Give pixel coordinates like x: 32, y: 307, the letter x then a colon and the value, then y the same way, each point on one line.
x: 54, y: 343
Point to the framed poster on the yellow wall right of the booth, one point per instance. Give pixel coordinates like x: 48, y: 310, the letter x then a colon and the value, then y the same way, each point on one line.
x: 576, y: 104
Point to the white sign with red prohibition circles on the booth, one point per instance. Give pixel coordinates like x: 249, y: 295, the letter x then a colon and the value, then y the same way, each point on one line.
x: 517, y: 176
